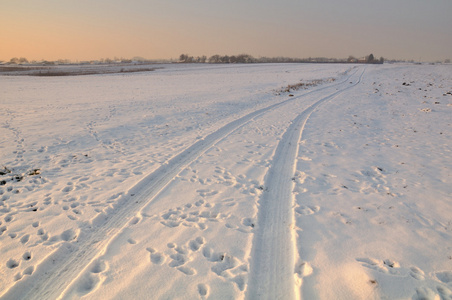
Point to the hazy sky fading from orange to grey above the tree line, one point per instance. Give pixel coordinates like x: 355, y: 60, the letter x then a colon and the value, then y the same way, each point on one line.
x: 162, y: 29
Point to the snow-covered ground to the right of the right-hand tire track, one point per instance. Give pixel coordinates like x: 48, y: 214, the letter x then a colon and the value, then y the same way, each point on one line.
x: 375, y: 189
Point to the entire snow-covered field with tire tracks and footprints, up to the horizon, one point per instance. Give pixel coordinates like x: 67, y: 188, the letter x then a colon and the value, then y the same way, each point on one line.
x: 212, y: 182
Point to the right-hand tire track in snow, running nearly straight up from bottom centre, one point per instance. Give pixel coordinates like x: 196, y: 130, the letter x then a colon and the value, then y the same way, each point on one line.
x: 273, y: 254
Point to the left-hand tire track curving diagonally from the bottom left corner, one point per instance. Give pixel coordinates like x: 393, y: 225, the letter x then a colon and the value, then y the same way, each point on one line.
x: 57, y: 273
